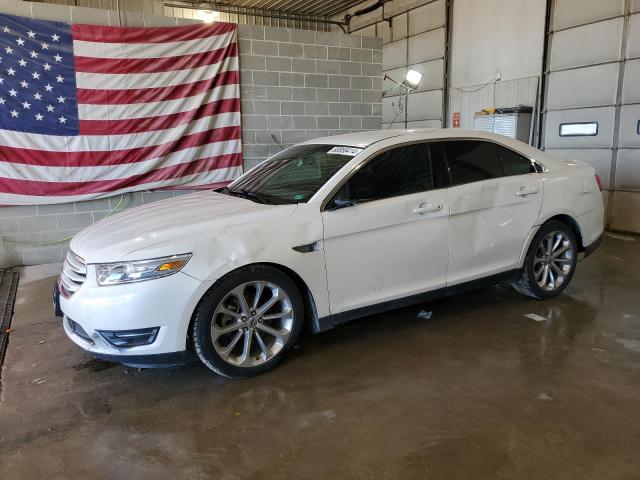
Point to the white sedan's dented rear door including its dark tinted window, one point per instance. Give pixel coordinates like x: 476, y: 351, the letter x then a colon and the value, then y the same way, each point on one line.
x: 495, y: 202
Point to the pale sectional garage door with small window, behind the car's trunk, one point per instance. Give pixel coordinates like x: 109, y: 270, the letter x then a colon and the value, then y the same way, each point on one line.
x: 592, y: 97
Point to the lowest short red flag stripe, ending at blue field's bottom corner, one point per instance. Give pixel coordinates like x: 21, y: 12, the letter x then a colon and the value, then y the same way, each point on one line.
x: 161, y: 122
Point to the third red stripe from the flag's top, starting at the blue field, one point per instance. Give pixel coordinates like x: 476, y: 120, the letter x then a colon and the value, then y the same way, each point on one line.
x: 158, y: 94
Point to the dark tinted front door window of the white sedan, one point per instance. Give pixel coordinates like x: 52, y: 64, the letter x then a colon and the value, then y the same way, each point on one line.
x: 400, y: 171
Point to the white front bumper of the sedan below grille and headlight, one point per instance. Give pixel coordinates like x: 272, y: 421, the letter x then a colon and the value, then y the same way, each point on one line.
x: 167, y: 303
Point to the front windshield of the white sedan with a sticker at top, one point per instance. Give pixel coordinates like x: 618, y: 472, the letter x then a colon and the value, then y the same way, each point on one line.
x: 293, y: 175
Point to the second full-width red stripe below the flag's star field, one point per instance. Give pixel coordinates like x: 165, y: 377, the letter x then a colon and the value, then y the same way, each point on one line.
x: 32, y: 187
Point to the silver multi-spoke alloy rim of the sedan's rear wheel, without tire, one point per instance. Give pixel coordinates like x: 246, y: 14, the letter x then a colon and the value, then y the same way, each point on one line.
x: 553, y: 261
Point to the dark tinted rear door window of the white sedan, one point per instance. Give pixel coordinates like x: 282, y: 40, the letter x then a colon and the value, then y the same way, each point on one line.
x: 470, y: 160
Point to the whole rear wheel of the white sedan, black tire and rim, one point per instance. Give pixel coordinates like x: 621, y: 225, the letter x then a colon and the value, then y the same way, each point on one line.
x: 550, y: 262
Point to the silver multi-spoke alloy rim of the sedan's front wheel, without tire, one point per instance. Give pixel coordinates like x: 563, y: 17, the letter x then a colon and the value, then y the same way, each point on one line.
x: 252, y: 323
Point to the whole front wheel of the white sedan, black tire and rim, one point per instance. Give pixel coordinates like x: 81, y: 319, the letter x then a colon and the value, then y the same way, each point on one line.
x: 247, y: 321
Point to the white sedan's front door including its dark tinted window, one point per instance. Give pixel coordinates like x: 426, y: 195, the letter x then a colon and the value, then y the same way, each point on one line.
x: 386, y: 232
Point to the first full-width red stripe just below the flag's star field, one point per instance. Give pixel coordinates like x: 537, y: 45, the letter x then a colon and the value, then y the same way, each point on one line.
x: 118, y: 157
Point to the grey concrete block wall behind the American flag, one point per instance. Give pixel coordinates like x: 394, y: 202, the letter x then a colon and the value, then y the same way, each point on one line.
x: 295, y: 85
